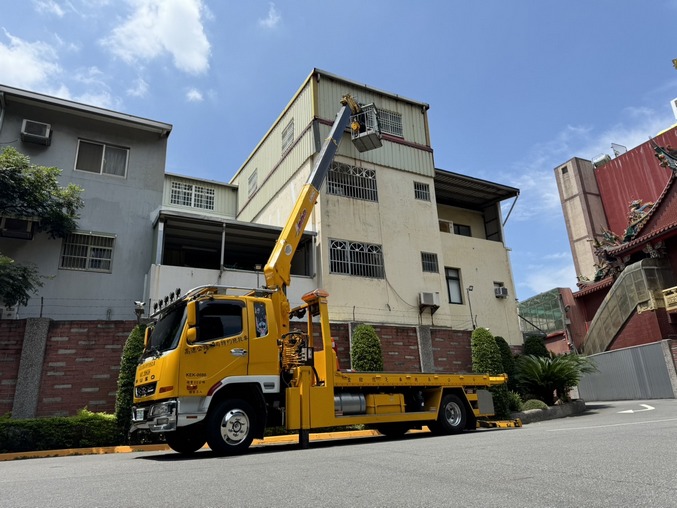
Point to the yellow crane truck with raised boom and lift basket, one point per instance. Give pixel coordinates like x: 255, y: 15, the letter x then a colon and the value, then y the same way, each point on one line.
x: 221, y: 364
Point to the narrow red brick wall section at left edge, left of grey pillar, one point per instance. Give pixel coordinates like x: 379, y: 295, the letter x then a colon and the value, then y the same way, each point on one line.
x: 11, y: 342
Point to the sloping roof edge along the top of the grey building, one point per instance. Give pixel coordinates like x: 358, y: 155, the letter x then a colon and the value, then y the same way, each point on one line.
x: 85, y: 110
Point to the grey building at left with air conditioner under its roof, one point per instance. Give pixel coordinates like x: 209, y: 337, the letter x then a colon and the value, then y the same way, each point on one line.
x: 119, y: 160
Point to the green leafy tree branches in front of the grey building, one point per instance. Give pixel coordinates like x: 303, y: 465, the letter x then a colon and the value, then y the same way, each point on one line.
x: 32, y: 192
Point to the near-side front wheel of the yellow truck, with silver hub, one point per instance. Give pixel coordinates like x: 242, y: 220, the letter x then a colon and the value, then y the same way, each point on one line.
x: 230, y: 428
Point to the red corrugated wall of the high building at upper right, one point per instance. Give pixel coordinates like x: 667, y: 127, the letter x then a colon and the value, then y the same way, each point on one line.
x: 633, y: 175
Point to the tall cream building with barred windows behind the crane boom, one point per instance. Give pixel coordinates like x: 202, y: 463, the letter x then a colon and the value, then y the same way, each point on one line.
x: 397, y: 240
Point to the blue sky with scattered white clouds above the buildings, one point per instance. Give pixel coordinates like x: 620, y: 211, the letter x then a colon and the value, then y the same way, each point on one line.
x: 515, y: 87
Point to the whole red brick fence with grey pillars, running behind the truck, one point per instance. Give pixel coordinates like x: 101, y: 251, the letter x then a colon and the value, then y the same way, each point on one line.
x: 82, y: 359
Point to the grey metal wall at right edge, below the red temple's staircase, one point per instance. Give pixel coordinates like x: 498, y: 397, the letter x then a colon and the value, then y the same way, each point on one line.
x: 641, y: 372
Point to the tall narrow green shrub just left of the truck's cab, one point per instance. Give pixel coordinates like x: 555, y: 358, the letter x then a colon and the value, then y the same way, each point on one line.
x: 125, y: 392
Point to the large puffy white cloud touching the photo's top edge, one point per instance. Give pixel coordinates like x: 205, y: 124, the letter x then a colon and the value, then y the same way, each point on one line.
x: 156, y: 28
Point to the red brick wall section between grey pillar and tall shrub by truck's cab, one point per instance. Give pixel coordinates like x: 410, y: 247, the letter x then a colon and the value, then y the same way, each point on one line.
x: 82, y: 361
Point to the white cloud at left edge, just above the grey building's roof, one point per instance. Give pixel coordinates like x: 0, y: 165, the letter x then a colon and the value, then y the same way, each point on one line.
x: 29, y: 65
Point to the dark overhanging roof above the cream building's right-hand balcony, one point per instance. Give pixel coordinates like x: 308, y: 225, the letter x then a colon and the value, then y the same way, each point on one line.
x: 453, y: 189
